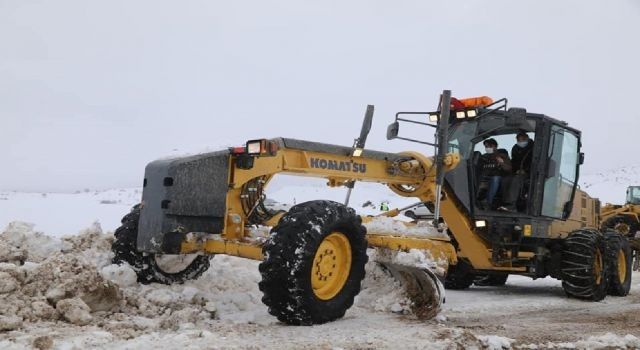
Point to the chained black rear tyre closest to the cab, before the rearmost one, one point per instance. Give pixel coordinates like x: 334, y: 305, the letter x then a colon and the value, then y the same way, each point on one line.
x: 585, y: 270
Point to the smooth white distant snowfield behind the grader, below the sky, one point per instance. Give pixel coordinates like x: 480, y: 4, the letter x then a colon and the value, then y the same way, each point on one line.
x: 64, y: 213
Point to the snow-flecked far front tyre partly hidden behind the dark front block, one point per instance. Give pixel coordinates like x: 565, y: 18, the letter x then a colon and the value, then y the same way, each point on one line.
x: 145, y: 265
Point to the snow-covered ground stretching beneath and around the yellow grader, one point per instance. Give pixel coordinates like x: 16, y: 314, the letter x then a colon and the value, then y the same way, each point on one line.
x: 67, y: 295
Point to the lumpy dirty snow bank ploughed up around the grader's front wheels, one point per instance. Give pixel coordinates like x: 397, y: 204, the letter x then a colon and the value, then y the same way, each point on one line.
x: 71, y: 280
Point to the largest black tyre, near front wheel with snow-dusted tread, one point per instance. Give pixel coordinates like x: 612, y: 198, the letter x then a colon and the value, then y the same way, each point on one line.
x: 290, y: 260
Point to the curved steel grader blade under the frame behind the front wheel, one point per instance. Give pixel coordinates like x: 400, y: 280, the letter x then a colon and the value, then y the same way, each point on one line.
x: 421, y: 286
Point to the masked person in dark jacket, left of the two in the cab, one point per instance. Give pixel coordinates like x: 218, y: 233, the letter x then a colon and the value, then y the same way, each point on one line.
x: 494, y: 165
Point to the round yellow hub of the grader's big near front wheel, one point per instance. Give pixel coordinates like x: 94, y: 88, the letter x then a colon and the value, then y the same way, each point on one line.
x: 331, y: 266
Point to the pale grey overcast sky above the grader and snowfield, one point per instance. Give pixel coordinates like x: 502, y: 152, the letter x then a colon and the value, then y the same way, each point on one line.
x: 90, y: 91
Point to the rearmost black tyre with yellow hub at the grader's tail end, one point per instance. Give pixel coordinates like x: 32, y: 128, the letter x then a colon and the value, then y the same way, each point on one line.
x: 621, y: 264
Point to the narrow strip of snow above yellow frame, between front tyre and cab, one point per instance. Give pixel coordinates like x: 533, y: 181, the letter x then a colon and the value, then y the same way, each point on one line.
x: 387, y: 225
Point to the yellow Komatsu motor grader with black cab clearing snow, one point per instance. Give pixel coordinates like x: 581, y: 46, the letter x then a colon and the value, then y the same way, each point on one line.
x: 313, y: 260
